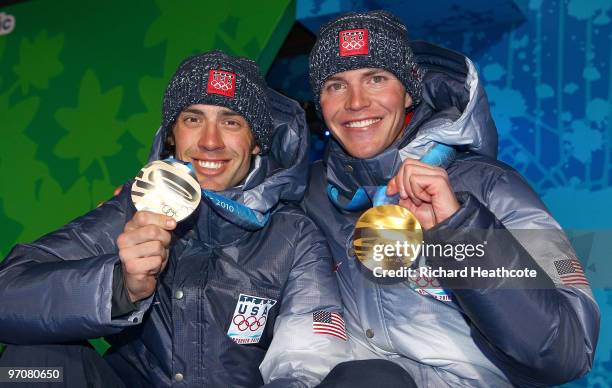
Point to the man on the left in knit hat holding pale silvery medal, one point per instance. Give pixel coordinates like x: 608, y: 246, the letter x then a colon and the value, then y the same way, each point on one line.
x: 239, y: 294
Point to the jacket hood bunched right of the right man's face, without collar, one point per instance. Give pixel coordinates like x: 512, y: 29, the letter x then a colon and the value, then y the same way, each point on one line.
x: 455, y: 110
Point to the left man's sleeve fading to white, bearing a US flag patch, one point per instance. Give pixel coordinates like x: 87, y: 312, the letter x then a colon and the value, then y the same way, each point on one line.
x: 297, y: 357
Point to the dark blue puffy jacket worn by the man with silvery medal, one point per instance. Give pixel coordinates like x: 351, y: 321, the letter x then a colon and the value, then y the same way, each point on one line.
x: 59, y: 287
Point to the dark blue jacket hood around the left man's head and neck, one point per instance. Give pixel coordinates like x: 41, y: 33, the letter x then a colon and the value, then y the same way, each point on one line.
x: 279, y: 175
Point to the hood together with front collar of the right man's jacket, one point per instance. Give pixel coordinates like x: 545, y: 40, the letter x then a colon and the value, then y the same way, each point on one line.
x: 454, y: 111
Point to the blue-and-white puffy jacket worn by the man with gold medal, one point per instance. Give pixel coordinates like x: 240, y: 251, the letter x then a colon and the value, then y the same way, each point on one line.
x: 491, y: 333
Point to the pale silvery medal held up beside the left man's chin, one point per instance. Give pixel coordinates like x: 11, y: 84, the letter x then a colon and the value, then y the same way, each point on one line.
x: 167, y: 187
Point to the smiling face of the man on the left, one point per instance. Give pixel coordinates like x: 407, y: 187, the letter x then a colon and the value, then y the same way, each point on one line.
x: 218, y: 142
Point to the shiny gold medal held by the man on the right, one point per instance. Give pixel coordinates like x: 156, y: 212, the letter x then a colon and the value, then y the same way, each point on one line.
x: 387, y: 237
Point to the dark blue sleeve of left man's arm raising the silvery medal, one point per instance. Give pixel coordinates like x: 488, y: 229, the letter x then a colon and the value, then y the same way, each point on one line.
x: 59, y: 288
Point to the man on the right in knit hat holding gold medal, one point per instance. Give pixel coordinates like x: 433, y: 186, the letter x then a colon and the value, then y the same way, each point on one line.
x: 411, y: 120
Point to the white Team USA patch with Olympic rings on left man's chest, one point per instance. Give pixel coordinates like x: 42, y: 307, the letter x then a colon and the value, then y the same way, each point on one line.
x: 250, y: 318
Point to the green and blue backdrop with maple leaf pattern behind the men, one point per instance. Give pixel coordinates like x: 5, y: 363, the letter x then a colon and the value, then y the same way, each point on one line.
x: 81, y: 87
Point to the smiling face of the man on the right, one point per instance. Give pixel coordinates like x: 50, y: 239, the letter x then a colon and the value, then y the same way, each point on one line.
x: 365, y: 110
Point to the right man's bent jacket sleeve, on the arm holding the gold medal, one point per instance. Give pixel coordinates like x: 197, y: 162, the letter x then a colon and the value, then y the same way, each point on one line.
x: 539, y: 331
